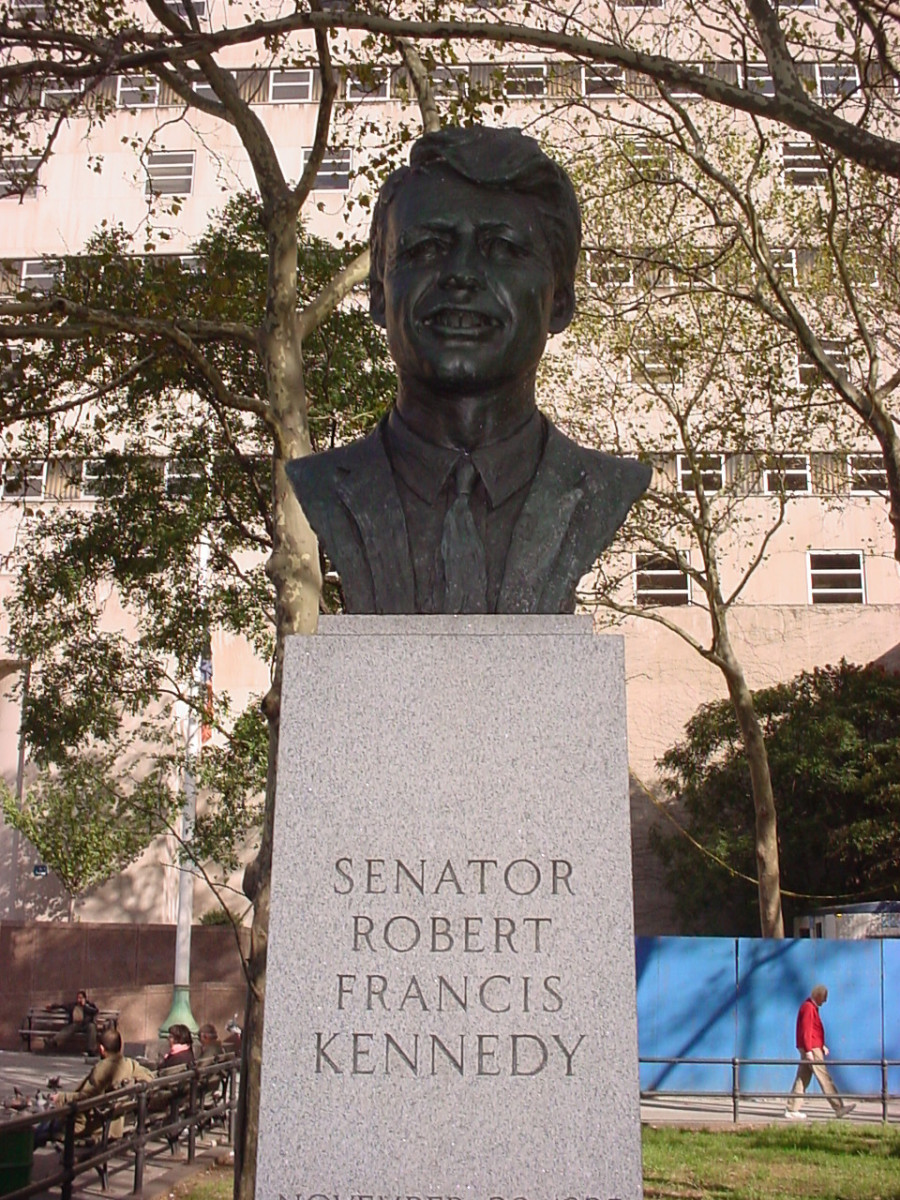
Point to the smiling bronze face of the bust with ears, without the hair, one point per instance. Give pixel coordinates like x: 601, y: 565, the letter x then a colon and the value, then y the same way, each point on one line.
x: 469, y: 296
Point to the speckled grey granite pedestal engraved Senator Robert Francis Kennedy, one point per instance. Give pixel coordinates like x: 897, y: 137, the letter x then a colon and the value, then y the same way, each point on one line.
x: 451, y: 1001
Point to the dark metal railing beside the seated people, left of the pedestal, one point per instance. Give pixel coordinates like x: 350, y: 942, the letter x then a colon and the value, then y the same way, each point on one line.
x: 157, y: 1114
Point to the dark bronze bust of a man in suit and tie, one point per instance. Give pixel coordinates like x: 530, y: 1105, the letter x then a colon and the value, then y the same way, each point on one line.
x: 466, y: 499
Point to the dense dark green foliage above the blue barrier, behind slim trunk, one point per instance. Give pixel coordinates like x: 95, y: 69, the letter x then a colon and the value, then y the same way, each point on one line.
x: 833, y: 742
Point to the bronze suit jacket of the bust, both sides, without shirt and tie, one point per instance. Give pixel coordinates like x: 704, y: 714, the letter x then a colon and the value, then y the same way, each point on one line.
x: 577, y: 502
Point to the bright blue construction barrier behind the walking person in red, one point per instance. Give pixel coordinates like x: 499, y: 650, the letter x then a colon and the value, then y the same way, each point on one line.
x: 722, y: 998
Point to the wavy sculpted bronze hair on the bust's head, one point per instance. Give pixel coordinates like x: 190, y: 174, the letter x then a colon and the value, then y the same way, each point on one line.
x: 496, y: 159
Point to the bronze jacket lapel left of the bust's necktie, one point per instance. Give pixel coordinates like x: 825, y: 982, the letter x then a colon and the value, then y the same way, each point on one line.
x: 383, y: 530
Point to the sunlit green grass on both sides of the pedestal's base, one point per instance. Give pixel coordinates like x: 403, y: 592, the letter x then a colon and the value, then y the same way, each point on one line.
x: 817, y: 1162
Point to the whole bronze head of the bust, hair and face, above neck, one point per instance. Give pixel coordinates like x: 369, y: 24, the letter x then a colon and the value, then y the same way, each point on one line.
x: 475, y: 251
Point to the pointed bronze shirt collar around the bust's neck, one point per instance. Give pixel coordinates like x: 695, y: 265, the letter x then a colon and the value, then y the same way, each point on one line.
x: 505, y: 467
